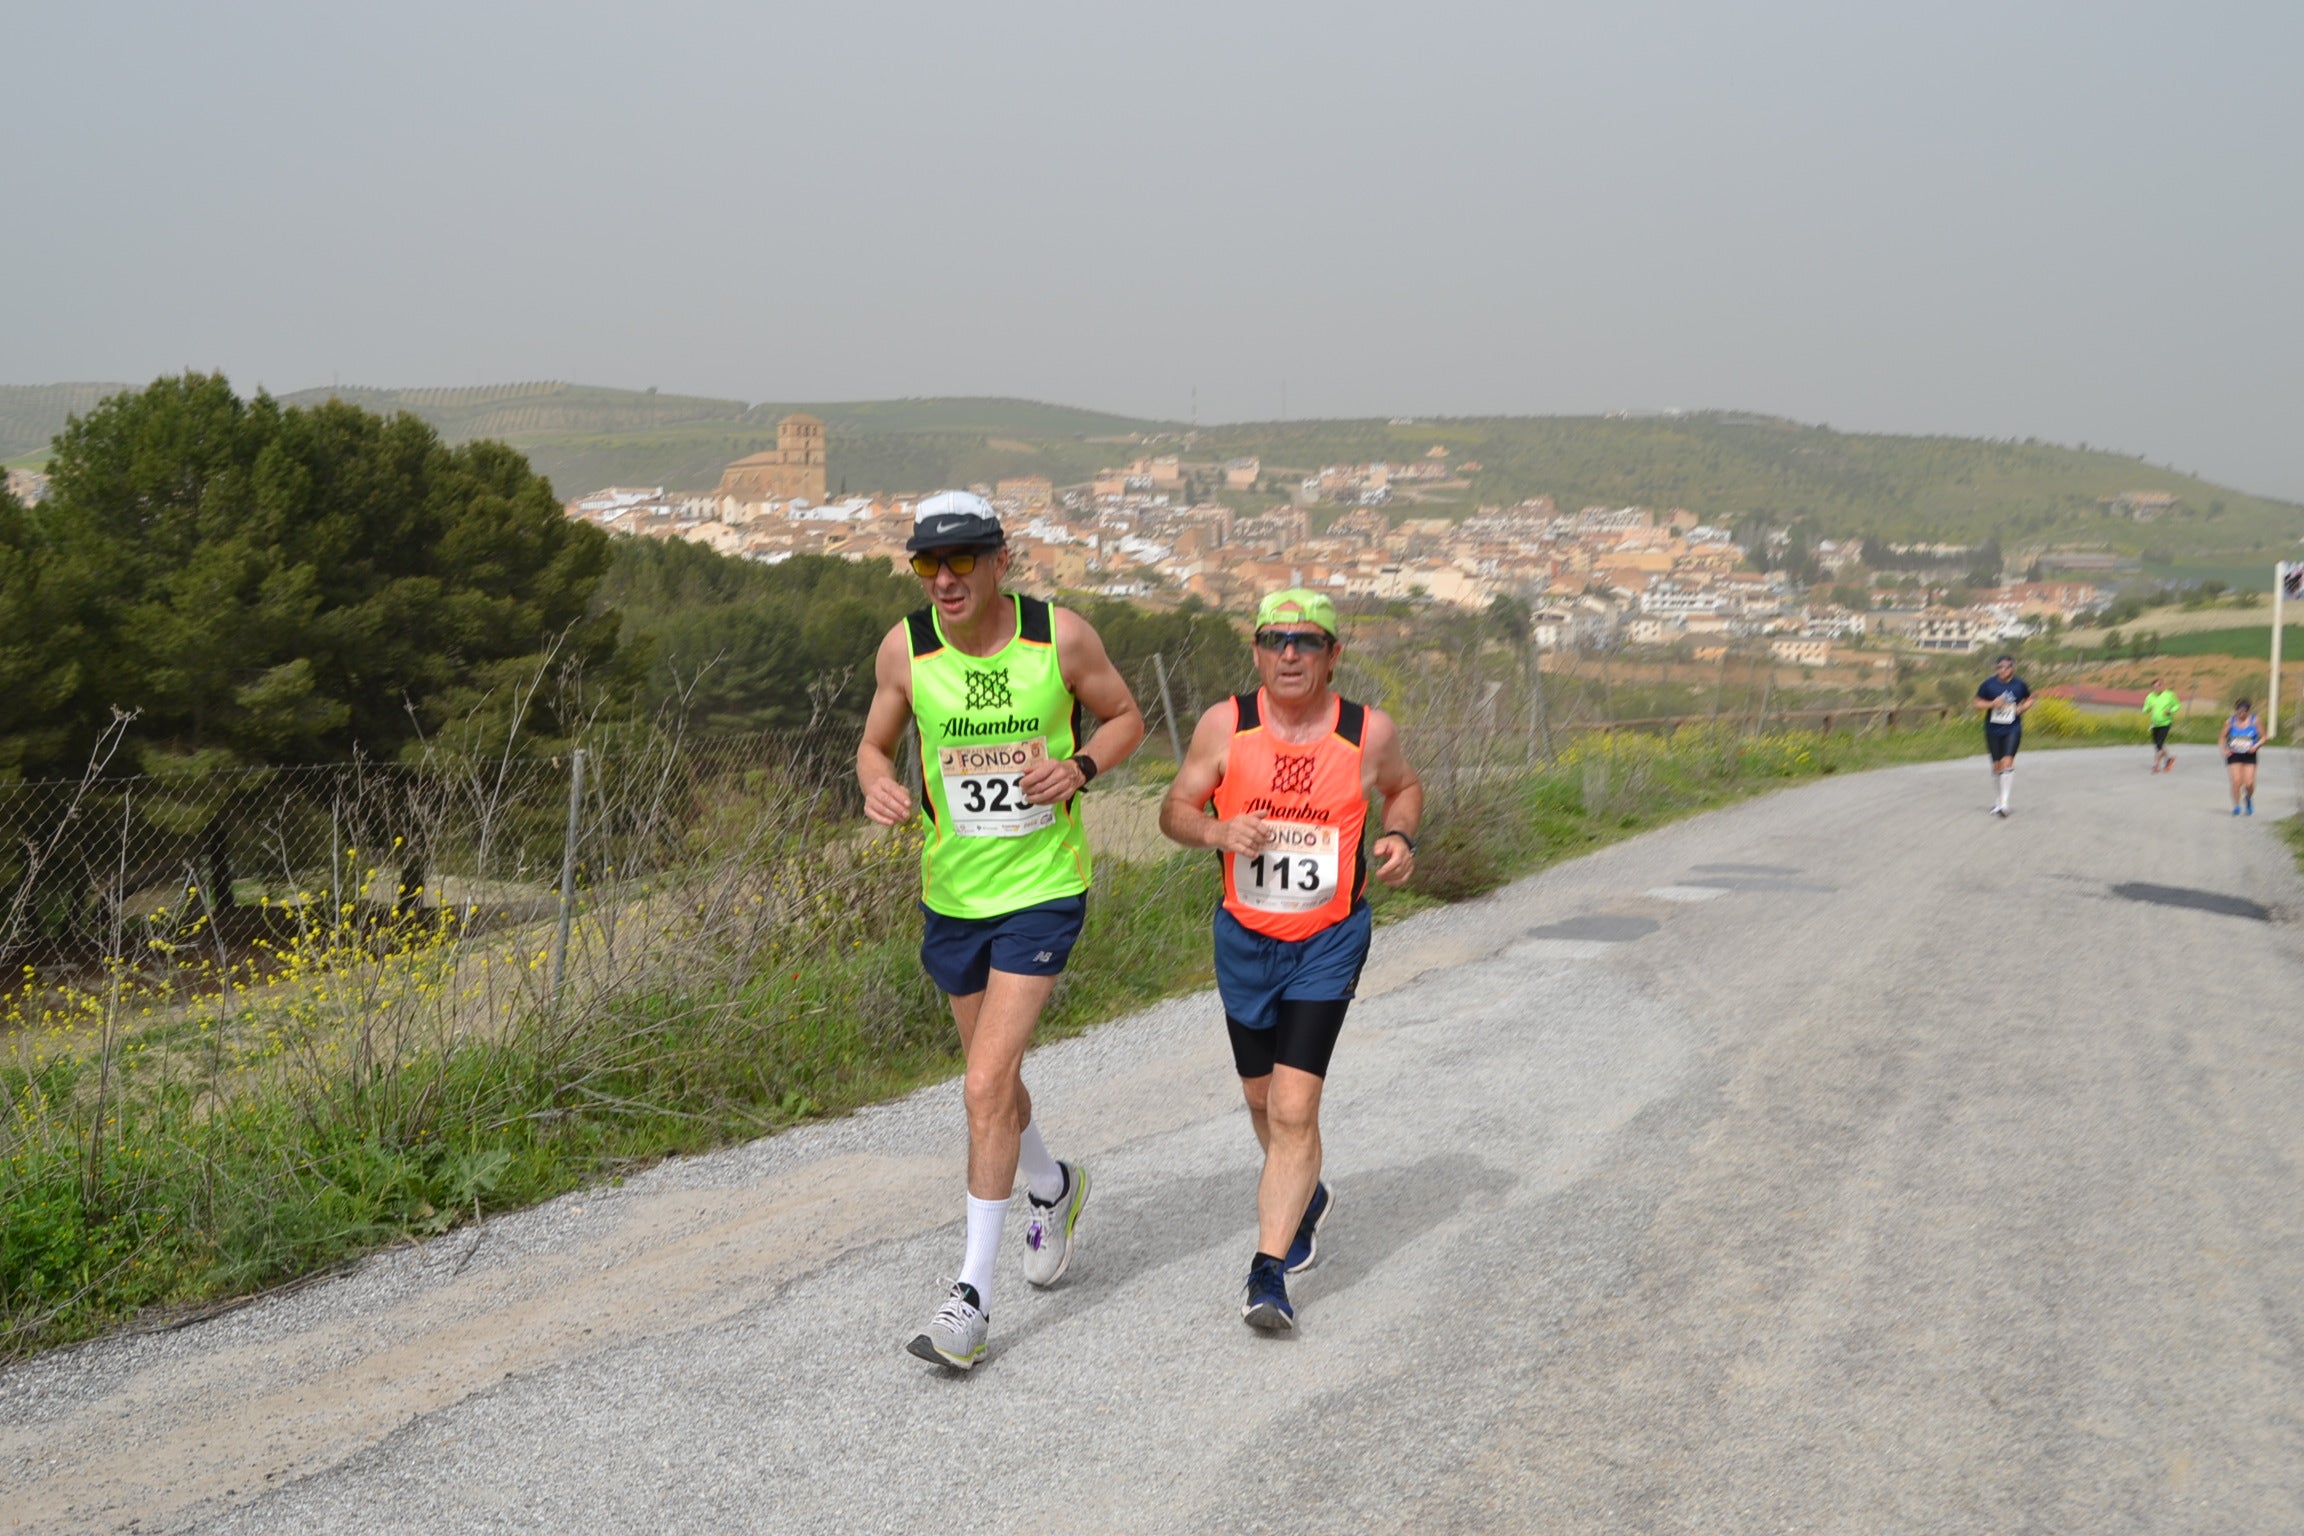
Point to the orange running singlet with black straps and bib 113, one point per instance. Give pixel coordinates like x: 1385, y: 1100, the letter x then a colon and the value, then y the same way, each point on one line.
x: 1312, y: 798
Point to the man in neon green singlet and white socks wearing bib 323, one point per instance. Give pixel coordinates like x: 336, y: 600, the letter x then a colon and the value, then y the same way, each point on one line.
x: 999, y: 692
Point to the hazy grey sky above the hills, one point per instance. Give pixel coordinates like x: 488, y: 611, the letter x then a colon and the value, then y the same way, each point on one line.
x: 2063, y: 220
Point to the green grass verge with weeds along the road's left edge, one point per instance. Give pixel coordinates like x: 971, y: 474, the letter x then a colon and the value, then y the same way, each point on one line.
x: 229, y: 1157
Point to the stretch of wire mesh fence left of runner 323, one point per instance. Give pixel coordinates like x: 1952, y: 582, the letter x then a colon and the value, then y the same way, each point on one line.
x: 105, y: 867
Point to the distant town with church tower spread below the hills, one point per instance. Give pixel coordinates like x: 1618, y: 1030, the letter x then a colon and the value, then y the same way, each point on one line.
x: 1591, y: 577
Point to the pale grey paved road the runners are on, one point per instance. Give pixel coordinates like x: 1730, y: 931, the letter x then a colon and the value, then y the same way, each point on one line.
x: 1844, y: 1162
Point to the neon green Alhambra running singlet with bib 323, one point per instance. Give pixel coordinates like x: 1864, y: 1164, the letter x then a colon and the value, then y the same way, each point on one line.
x: 983, y: 722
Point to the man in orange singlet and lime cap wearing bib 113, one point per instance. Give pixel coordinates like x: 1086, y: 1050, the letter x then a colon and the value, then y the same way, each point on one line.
x: 1291, y: 773
